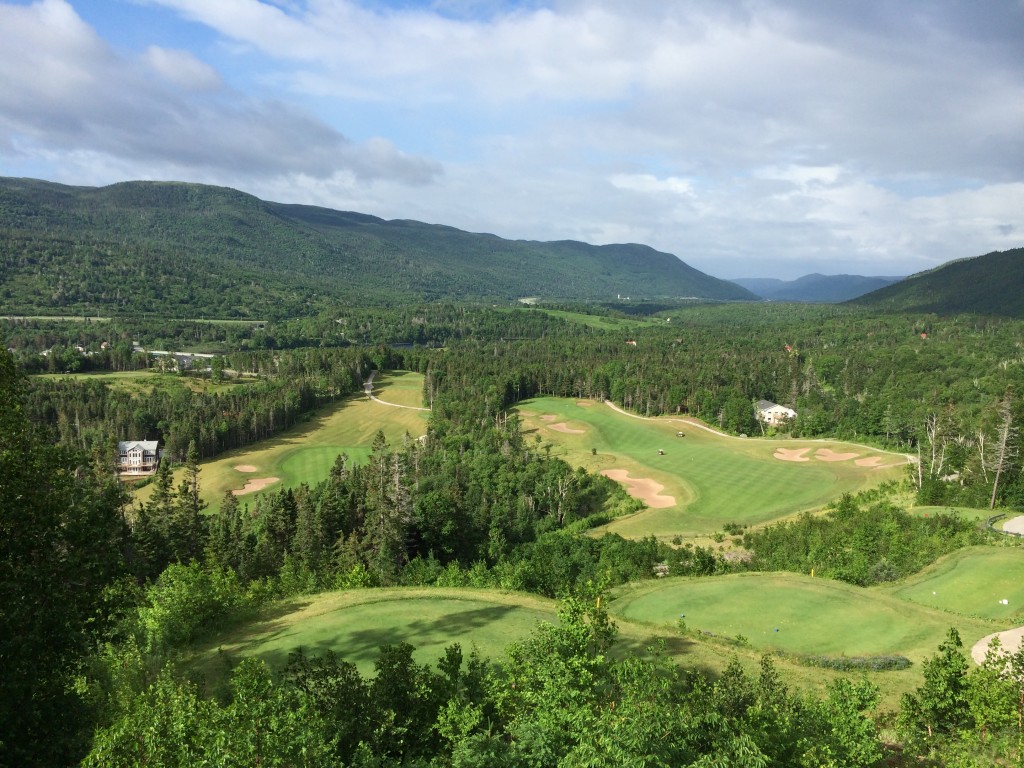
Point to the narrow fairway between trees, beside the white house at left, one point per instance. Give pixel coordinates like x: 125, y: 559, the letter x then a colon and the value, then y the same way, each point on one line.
x: 307, y: 453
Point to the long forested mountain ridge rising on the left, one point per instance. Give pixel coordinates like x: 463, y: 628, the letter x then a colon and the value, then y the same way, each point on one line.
x: 193, y: 250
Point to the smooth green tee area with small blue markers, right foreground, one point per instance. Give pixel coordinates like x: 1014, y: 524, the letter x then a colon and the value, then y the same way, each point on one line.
x: 797, y: 615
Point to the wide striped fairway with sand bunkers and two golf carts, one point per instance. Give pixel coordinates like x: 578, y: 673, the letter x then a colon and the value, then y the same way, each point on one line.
x: 708, y: 480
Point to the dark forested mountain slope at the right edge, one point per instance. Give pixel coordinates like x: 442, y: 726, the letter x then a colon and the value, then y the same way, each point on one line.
x: 993, y: 284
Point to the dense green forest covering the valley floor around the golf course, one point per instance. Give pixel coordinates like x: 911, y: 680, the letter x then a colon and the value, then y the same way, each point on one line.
x: 475, y: 504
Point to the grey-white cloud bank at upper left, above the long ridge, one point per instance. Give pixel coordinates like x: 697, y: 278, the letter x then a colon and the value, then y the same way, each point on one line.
x: 67, y: 94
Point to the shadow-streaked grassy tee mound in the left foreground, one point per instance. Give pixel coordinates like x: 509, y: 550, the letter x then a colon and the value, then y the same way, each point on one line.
x: 355, y: 624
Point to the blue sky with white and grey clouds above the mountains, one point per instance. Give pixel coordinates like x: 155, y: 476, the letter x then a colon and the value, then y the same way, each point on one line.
x: 748, y: 138
